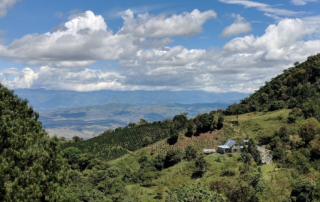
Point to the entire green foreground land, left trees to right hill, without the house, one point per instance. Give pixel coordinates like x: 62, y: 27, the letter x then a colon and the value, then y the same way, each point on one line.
x: 164, y: 160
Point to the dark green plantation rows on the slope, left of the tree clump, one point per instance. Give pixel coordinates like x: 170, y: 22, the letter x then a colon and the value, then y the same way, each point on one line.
x: 113, y: 144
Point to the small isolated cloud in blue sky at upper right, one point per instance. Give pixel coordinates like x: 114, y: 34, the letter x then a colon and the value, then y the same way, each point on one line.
x: 240, y: 26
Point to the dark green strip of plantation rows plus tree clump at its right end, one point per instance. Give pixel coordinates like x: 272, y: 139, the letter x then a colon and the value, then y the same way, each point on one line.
x: 115, y: 143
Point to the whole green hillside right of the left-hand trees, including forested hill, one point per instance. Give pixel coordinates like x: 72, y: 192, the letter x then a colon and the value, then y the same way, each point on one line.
x: 281, y: 117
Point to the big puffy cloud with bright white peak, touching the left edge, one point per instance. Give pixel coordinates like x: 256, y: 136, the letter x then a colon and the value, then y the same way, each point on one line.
x: 82, y: 40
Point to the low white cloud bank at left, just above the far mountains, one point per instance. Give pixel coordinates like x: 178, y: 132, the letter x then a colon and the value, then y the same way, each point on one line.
x: 53, y: 78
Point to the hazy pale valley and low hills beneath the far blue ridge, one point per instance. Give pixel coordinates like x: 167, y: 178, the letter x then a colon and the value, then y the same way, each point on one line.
x: 90, y: 121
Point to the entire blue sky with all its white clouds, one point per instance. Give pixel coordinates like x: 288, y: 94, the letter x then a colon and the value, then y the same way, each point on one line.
x: 209, y: 45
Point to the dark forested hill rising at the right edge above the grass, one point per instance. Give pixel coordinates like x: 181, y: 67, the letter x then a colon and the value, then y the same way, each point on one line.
x: 298, y: 86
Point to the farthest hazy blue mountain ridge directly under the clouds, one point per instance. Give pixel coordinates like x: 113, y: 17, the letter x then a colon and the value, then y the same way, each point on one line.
x: 42, y: 99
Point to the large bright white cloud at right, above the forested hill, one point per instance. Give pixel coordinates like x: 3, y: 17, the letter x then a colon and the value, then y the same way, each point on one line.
x: 281, y: 42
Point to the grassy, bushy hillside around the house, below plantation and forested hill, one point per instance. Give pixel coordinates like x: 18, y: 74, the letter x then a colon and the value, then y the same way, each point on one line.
x: 182, y: 173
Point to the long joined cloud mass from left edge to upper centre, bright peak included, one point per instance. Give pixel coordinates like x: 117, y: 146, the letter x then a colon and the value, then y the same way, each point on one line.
x: 85, y: 38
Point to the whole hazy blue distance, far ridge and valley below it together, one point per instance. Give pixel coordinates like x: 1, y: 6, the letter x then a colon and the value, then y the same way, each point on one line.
x: 86, y: 114
